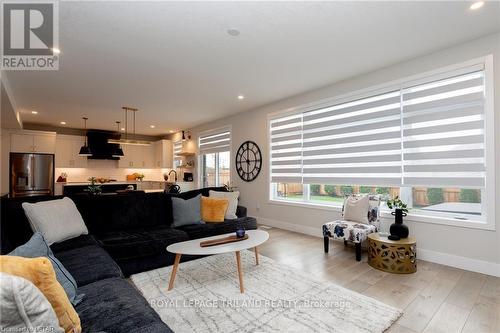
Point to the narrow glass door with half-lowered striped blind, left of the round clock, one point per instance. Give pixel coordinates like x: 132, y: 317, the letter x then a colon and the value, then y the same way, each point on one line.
x: 215, y: 157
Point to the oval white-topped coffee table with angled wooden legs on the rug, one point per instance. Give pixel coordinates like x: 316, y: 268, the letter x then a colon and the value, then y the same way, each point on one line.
x: 192, y: 247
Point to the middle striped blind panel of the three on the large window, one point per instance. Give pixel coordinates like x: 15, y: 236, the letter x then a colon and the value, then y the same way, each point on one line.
x: 358, y: 142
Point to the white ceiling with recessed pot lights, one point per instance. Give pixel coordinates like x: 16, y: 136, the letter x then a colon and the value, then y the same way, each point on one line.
x: 177, y: 64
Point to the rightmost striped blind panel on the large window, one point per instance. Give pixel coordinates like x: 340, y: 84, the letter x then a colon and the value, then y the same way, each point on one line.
x: 443, y: 132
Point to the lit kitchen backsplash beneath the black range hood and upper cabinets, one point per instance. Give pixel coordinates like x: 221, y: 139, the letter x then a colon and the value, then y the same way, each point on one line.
x: 107, y: 169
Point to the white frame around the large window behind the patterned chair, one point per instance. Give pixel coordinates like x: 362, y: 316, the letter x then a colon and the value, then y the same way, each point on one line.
x: 487, y: 202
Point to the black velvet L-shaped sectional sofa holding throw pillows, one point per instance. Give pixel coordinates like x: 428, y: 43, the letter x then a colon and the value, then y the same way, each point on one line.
x: 128, y: 234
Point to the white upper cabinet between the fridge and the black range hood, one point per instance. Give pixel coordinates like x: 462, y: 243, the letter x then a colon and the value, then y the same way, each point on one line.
x: 67, y: 150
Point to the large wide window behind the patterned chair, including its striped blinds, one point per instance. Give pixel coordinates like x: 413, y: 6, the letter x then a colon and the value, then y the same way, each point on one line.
x: 424, y: 141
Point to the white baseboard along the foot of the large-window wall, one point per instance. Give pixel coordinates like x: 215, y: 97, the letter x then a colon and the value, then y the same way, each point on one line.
x: 469, y: 264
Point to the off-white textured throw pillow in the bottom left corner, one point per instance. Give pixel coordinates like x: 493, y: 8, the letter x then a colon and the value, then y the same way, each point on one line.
x: 24, y: 308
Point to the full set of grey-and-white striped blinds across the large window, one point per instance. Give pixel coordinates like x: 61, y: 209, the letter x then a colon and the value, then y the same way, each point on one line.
x: 425, y: 134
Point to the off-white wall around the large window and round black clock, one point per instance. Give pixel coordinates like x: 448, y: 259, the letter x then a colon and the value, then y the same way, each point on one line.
x: 468, y: 248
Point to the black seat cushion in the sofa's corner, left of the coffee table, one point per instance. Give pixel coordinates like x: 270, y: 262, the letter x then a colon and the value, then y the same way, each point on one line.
x: 141, y: 242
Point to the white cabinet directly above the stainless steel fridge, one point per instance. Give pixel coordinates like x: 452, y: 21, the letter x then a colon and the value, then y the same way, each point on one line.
x: 33, y: 142
